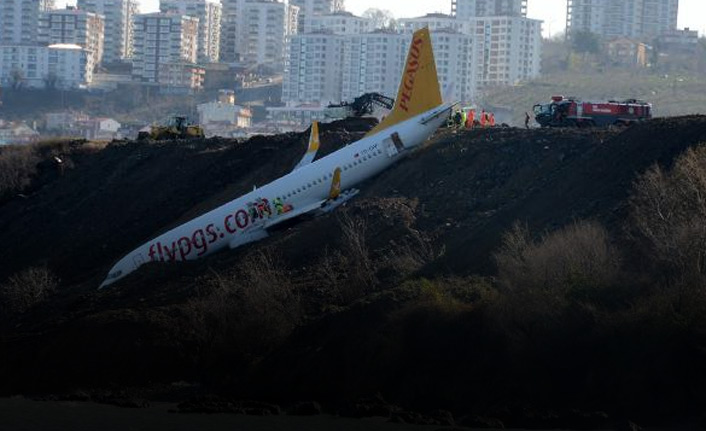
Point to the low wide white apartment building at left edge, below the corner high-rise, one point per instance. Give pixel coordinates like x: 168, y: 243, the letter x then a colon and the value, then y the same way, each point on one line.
x: 55, y: 66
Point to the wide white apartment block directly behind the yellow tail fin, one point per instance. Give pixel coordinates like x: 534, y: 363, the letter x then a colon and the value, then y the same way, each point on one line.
x: 323, y: 67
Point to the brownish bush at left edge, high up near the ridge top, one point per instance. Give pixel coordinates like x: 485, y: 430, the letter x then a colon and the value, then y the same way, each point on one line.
x: 18, y: 164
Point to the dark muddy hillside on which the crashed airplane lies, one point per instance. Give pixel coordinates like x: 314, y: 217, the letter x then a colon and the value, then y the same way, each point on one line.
x: 320, y: 309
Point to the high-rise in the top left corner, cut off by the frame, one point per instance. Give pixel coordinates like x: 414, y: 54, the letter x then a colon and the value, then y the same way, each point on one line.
x: 19, y: 20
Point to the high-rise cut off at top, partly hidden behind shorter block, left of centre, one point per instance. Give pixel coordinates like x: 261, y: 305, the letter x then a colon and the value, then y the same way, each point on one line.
x: 209, y: 15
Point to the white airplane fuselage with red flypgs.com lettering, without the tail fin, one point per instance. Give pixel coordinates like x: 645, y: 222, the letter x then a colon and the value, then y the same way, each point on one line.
x: 245, y: 219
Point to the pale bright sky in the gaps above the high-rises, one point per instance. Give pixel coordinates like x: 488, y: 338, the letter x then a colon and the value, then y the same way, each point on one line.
x: 692, y: 13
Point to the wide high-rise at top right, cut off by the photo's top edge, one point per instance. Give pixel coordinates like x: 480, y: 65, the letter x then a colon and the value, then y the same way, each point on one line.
x: 638, y: 19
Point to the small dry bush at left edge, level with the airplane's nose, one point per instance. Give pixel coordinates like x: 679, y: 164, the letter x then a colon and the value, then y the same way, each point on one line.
x: 27, y: 289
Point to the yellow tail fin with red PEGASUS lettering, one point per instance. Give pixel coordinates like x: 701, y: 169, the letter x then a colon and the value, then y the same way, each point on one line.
x: 419, y: 88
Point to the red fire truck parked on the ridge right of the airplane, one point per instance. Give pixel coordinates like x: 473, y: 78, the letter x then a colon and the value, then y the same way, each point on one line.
x: 570, y: 112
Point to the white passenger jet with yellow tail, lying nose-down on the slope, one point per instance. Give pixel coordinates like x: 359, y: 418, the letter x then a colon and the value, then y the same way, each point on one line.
x: 313, y: 187
